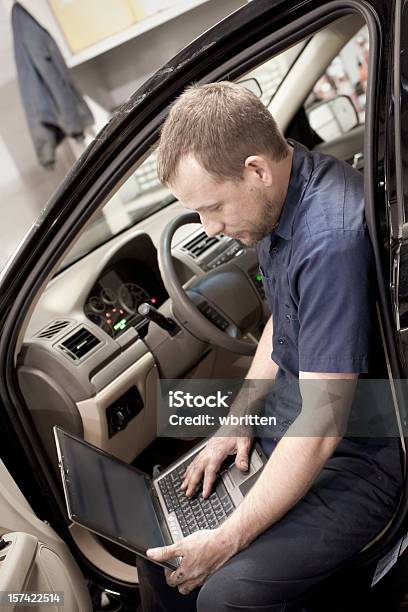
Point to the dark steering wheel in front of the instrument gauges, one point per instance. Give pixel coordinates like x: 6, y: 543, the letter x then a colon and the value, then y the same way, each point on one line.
x: 226, y: 295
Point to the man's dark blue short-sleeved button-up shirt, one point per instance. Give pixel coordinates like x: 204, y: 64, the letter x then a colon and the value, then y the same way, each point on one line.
x: 318, y: 270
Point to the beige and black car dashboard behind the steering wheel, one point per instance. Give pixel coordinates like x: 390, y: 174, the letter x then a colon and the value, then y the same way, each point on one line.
x: 94, y: 363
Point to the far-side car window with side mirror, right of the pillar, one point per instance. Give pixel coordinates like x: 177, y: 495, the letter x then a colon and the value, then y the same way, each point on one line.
x: 336, y: 103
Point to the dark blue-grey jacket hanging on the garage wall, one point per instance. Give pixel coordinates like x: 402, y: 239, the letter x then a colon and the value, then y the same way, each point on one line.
x: 53, y: 106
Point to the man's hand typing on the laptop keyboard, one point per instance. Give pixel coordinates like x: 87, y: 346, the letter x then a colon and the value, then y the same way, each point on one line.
x: 210, y: 458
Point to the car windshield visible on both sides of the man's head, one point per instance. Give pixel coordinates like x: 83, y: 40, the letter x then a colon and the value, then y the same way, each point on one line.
x: 142, y: 194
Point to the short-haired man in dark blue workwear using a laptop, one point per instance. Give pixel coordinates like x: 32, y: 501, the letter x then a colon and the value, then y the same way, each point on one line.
x: 319, y: 499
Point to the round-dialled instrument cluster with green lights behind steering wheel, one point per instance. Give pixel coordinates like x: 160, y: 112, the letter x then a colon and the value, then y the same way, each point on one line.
x: 113, y: 301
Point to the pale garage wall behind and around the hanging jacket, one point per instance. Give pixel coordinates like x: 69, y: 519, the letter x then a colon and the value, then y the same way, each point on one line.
x: 107, y: 81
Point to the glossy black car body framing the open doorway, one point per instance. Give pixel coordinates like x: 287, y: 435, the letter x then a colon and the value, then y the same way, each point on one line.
x: 248, y: 37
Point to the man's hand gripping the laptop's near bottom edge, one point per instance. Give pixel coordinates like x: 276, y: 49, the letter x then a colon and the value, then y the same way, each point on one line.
x: 202, y: 552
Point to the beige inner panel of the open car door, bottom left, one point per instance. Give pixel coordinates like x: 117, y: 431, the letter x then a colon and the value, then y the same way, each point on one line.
x: 36, y: 566
